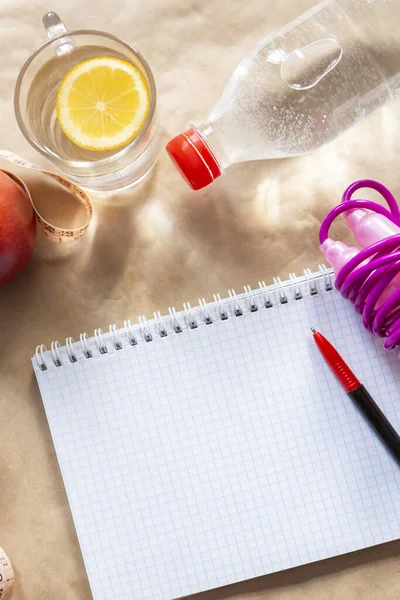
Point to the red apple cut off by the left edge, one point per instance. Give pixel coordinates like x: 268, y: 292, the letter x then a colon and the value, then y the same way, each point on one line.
x: 17, y: 228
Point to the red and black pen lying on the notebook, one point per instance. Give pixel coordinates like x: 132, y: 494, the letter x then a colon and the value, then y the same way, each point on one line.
x: 360, y: 396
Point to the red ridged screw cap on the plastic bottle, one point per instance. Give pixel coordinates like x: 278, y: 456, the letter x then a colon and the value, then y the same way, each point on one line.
x: 193, y: 159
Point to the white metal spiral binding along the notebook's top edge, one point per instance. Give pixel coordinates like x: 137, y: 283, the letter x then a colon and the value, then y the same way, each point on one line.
x: 253, y: 300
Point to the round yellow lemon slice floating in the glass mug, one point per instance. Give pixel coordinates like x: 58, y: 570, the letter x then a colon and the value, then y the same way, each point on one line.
x: 102, y: 103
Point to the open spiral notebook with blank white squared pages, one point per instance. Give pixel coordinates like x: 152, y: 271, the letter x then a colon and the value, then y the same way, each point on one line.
x: 212, y: 445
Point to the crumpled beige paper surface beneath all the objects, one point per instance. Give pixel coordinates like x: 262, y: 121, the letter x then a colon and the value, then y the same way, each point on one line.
x: 161, y: 245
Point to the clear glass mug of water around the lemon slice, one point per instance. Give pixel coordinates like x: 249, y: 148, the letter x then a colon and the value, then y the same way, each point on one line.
x: 35, y: 109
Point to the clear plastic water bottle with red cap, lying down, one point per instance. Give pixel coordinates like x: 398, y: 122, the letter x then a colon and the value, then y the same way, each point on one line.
x: 298, y: 89
